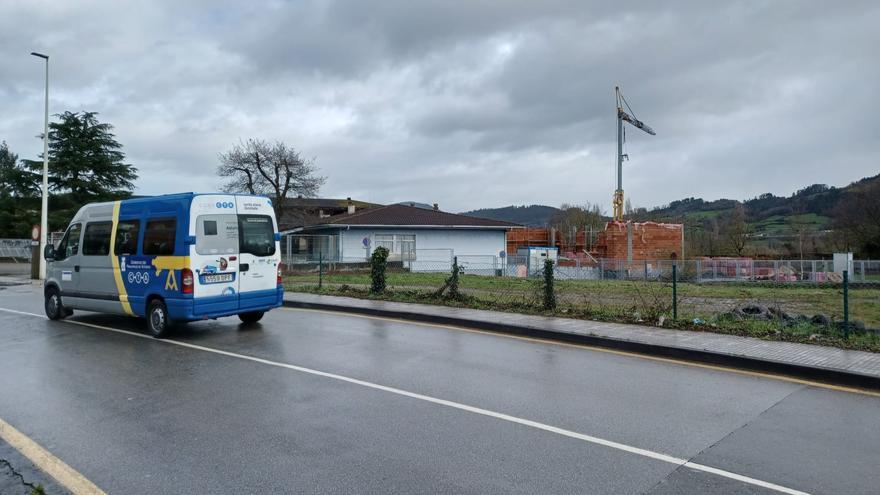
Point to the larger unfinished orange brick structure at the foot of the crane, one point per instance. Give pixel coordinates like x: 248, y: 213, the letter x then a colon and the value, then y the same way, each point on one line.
x: 639, y: 241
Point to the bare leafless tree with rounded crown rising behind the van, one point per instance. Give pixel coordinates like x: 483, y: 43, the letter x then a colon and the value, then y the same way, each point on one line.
x: 272, y: 169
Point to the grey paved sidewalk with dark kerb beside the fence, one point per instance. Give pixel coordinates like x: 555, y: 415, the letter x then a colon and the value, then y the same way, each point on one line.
x: 827, y: 364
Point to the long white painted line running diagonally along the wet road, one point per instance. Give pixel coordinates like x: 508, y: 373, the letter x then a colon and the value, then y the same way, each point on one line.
x: 455, y: 405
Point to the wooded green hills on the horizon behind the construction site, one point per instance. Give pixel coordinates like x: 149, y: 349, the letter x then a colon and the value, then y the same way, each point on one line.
x: 807, y: 223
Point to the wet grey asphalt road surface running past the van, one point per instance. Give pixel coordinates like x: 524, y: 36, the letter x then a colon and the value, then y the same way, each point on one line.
x: 135, y: 415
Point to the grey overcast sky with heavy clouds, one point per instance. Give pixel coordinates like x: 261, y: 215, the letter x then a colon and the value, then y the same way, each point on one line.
x: 469, y: 104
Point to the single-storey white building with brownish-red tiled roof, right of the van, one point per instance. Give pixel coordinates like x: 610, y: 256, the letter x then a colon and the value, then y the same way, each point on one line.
x: 423, y: 239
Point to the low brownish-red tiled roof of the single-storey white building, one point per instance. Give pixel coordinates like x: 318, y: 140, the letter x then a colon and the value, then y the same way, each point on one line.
x: 403, y: 215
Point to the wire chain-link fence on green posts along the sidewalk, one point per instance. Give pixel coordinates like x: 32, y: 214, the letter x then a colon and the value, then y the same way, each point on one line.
x: 775, y: 297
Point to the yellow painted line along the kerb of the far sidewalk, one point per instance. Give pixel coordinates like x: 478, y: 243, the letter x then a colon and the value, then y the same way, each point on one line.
x: 839, y: 388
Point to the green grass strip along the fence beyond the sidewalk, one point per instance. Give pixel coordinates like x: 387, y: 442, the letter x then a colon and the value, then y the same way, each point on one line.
x: 637, y: 308
